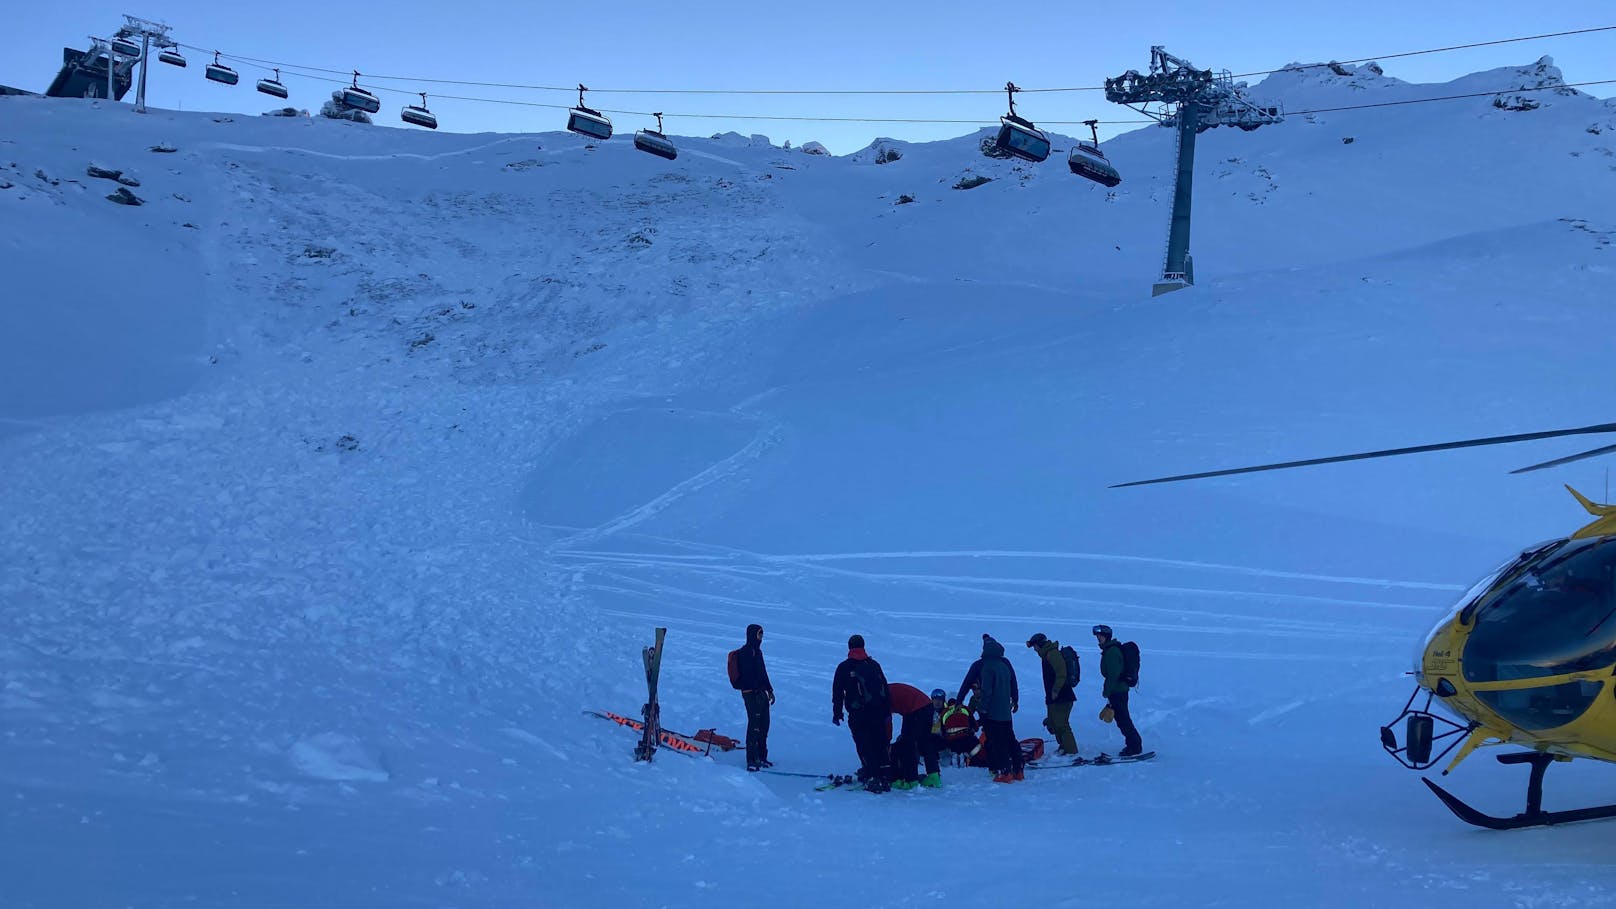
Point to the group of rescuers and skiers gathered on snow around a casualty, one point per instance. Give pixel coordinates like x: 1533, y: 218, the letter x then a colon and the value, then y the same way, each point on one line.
x: 977, y: 724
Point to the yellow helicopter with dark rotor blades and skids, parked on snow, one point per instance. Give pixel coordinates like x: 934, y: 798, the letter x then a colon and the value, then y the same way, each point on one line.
x: 1528, y: 656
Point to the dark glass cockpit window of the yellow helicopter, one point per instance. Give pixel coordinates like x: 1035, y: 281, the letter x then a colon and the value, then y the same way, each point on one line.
x: 1554, y: 617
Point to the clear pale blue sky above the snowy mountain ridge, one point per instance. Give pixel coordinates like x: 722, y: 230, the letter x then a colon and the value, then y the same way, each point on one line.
x: 830, y: 44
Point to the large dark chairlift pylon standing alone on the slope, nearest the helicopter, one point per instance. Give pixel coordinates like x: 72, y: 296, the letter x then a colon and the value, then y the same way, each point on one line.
x: 1200, y: 99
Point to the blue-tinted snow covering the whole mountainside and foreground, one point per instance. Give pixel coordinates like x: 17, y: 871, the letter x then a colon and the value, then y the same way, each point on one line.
x: 347, y: 471
